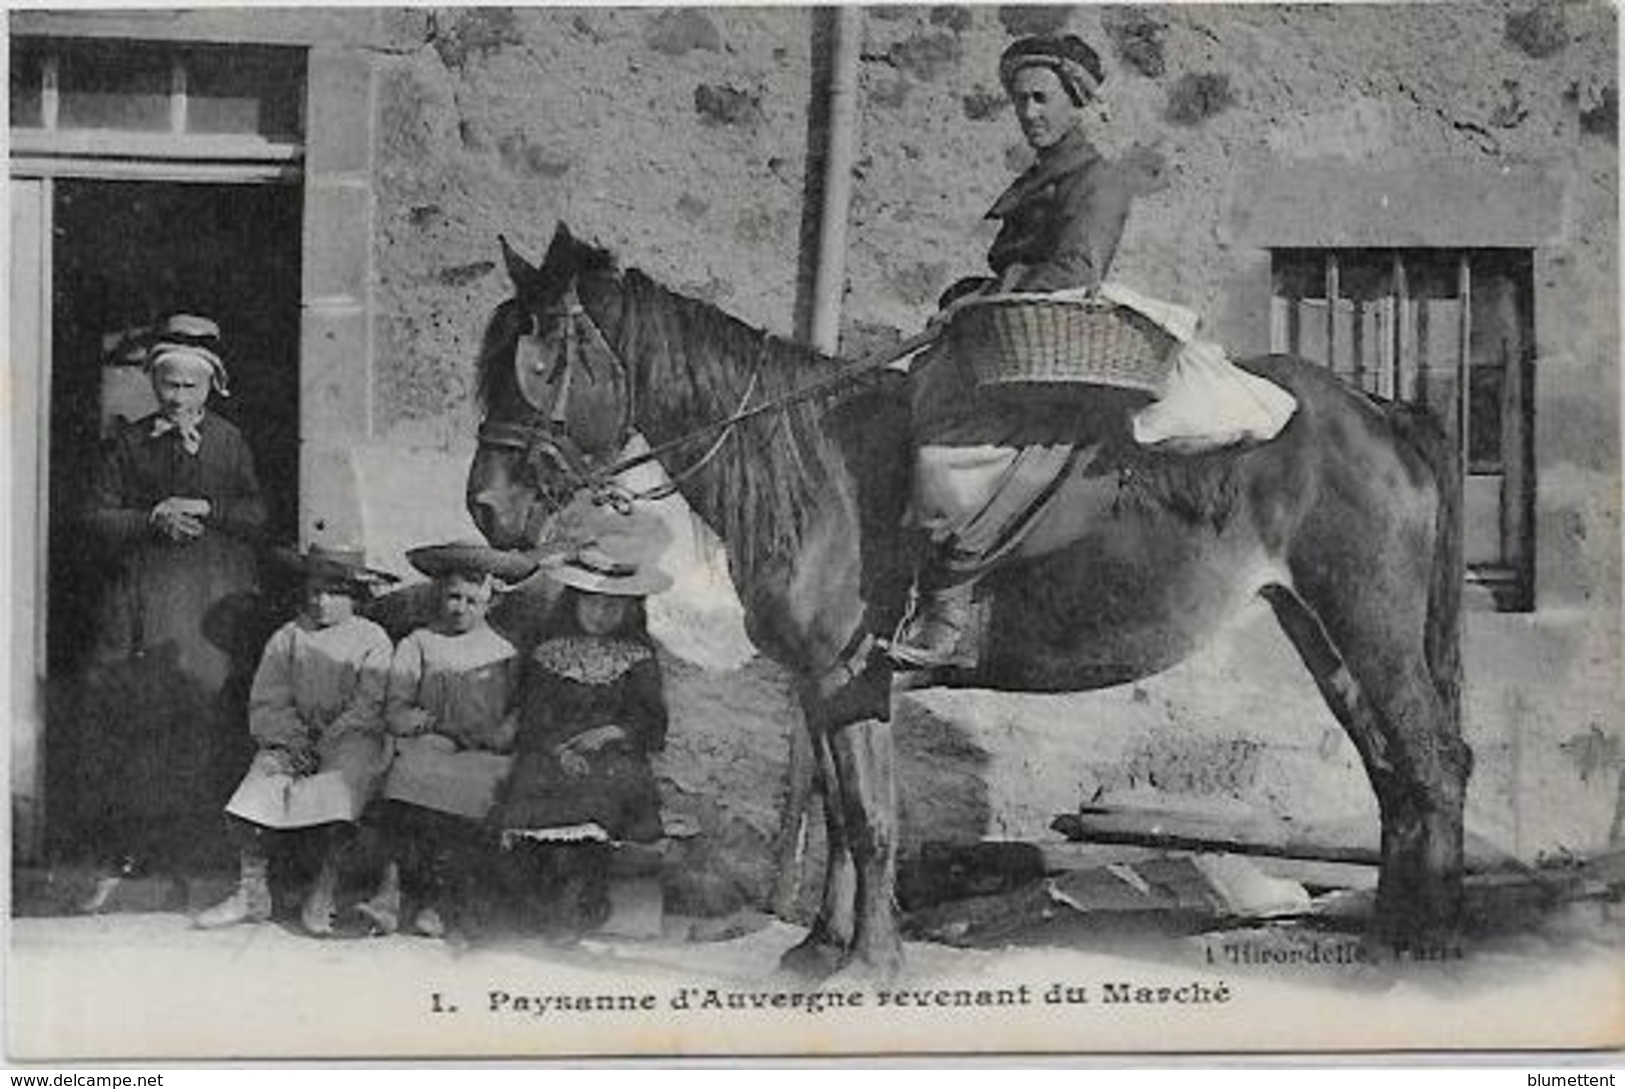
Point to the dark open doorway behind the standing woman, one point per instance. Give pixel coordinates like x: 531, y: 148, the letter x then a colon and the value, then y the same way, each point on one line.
x: 123, y: 256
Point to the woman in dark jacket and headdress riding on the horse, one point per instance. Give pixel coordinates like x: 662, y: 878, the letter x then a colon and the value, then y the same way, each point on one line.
x: 981, y: 462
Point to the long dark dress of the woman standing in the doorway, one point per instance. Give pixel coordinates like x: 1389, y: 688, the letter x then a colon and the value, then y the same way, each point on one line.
x: 160, y: 732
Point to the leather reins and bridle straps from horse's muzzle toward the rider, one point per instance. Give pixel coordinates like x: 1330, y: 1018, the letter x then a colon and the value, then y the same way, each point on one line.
x: 544, y: 438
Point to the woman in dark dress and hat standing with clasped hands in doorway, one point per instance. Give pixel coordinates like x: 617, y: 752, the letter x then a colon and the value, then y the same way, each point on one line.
x: 178, y: 505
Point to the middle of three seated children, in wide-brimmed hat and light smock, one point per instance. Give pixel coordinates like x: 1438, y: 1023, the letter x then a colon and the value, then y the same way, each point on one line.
x: 451, y: 709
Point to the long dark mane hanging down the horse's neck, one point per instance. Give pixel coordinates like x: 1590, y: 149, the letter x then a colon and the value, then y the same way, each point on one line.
x: 766, y: 480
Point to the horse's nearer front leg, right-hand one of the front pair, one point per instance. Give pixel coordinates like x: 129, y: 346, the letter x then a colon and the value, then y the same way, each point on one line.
x: 865, y: 766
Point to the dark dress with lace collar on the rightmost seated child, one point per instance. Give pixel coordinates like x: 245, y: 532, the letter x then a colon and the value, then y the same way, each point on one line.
x: 578, y: 683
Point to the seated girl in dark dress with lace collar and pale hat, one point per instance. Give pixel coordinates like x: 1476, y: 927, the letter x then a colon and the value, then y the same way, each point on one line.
x: 591, y: 713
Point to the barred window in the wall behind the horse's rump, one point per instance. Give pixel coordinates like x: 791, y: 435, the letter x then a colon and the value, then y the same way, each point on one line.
x: 1447, y: 329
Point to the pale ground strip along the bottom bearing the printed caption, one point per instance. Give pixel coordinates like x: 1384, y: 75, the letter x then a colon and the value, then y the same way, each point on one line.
x: 150, y: 986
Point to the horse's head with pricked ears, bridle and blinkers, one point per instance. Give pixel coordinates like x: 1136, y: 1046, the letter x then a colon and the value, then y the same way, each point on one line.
x: 557, y: 394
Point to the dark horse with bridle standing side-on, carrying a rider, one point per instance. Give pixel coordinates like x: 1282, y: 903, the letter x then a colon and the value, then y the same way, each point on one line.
x: 1346, y: 524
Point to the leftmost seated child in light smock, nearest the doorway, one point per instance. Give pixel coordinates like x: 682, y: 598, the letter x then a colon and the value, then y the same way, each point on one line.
x: 316, y: 713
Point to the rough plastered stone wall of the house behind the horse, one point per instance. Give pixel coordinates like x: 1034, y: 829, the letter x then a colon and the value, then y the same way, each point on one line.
x: 682, y: 141
